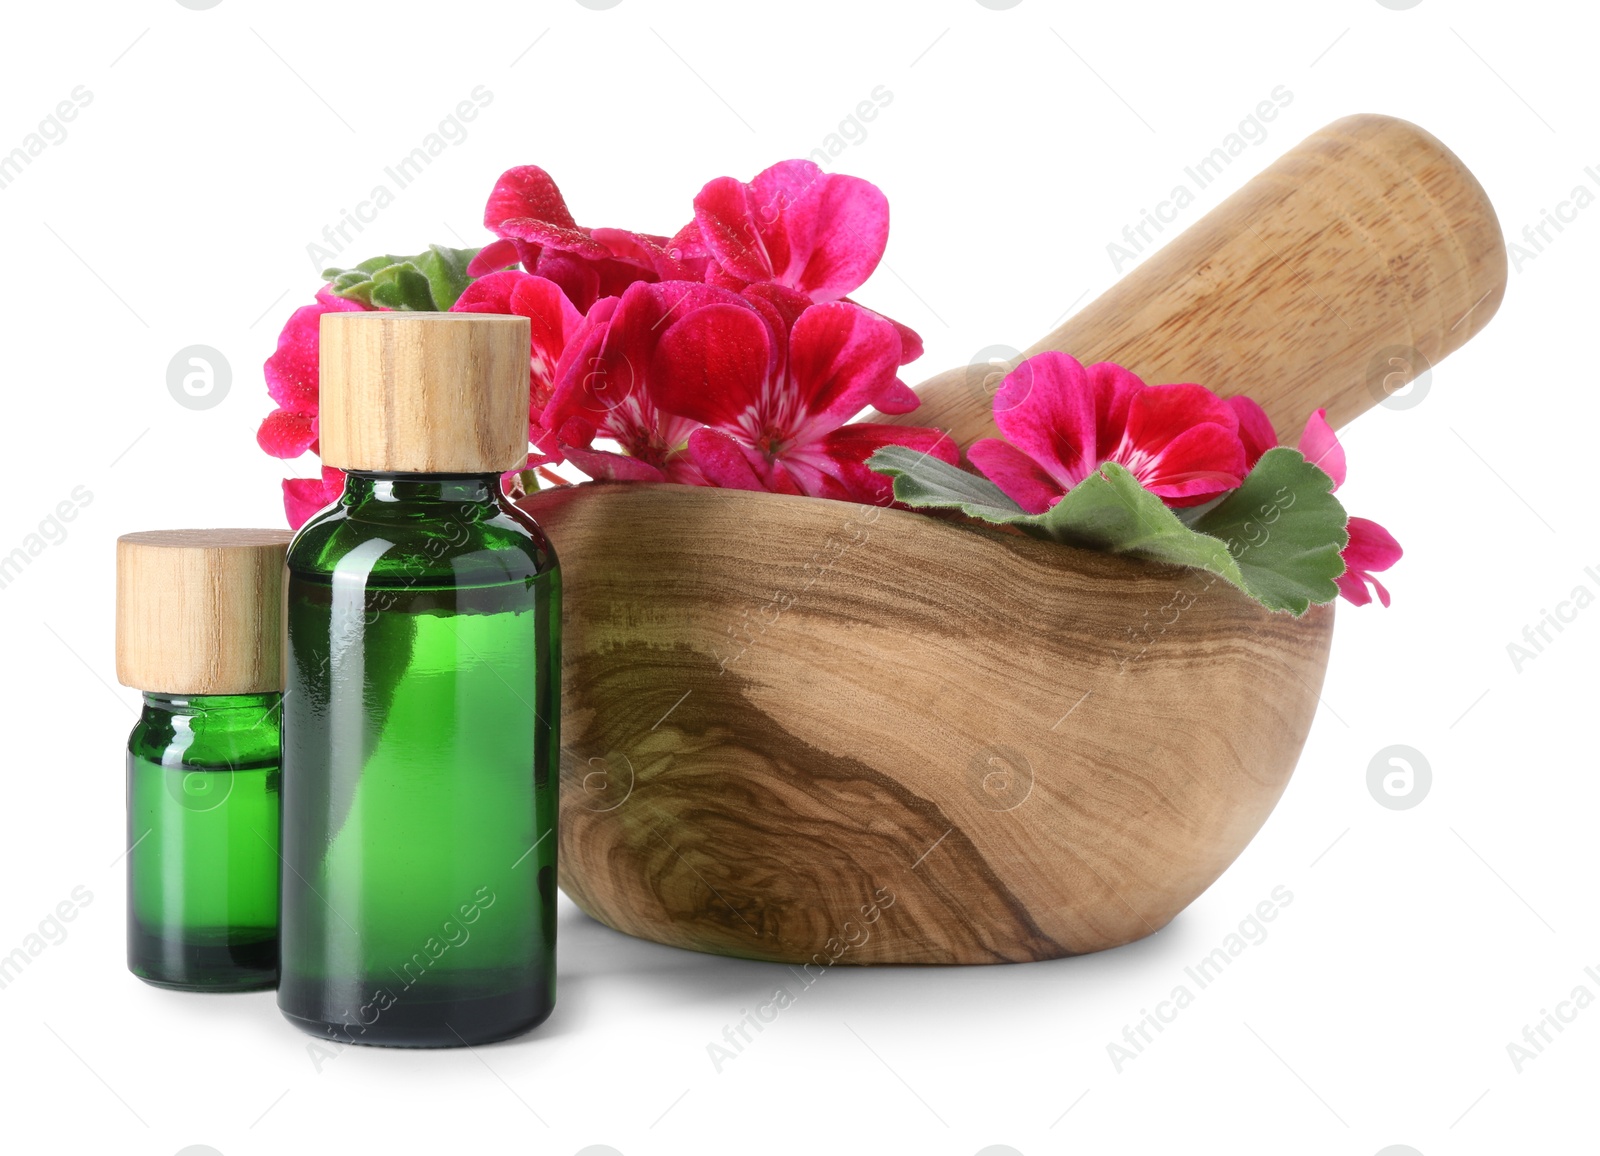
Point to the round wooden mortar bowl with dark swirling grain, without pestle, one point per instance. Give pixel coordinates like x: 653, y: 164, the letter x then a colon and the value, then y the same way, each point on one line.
x: 1006, y: 736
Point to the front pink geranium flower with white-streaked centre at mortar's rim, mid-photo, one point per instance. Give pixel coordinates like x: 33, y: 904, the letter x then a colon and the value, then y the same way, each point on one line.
x: 775, y: 380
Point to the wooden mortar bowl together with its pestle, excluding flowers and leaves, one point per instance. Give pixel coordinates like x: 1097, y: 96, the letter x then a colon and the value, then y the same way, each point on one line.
x: 817, y: 733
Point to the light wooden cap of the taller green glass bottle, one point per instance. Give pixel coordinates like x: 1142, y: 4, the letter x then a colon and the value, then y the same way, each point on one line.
x: 425, y: 393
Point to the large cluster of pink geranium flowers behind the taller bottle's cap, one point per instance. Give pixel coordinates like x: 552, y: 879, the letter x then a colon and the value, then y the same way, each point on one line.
x: 727, y: 355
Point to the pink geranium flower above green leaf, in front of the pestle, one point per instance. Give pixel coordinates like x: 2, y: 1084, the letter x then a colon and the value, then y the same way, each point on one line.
x: 1063, y: 422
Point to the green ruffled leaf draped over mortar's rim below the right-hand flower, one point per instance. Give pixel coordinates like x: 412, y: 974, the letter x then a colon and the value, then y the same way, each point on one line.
x: 1278, y: 537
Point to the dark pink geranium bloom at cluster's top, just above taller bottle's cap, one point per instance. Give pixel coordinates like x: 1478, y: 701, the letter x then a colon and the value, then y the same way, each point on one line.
x: 537, y: 230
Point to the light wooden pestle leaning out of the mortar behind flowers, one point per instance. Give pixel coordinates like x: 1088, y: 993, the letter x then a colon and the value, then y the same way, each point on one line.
x: 1353, y: 263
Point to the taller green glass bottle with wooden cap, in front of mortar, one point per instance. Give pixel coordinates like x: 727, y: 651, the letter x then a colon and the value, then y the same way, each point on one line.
x: 420, y: 723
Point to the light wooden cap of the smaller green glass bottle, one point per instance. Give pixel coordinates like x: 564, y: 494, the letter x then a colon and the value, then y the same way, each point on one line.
x: 201, y: 612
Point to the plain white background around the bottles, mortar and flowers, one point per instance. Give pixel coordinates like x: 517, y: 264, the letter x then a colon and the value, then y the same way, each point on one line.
x: 1018, y: 143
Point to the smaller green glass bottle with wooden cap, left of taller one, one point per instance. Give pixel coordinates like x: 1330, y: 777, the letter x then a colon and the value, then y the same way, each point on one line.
x: 199, y: 622
